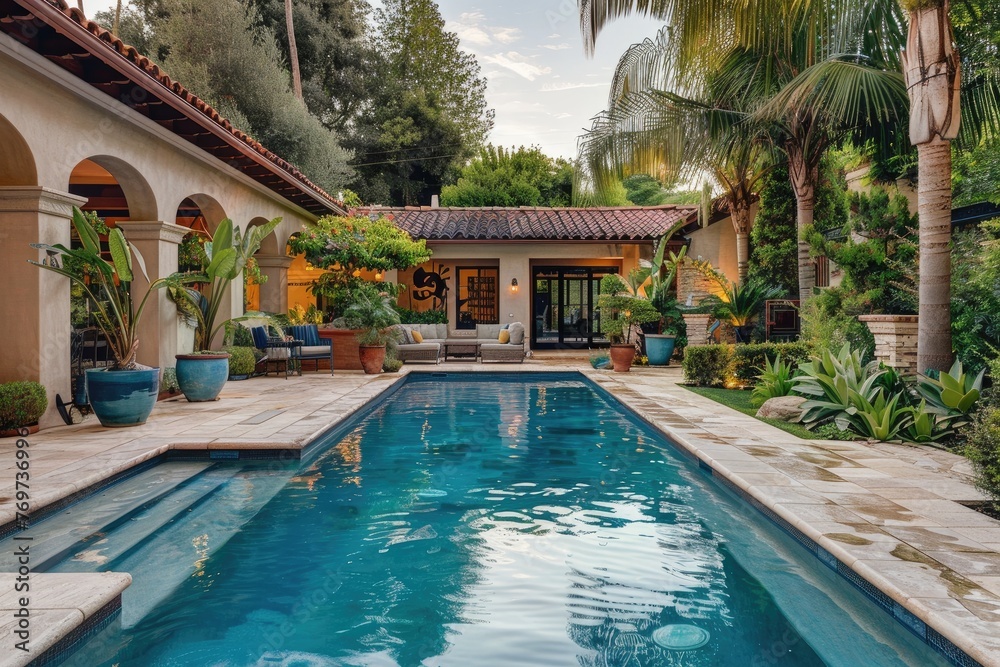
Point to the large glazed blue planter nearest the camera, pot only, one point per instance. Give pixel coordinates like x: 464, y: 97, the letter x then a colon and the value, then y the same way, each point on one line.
x: 122, y: 398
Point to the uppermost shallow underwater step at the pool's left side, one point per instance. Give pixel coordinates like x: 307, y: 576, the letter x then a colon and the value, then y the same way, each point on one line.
x: 90, y: 520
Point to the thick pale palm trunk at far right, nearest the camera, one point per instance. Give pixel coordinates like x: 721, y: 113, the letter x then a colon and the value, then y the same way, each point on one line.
x: 933, y: 78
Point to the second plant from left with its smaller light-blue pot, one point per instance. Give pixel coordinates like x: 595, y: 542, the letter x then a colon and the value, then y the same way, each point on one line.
x: 202, y: 374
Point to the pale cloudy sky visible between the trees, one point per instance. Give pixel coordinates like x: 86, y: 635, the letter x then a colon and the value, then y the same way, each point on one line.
x: 543, y: 87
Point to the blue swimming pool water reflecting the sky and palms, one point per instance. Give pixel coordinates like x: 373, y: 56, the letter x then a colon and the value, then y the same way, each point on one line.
x: 473, y: 521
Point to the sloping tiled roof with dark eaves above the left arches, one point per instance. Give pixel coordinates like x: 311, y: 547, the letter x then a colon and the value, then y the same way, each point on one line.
x: 66, y: 37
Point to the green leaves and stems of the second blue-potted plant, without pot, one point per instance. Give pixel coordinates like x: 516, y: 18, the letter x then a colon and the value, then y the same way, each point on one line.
x: 227, y: 255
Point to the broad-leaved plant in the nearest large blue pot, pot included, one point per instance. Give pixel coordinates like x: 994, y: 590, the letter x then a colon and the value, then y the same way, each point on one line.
x: 124, y: 393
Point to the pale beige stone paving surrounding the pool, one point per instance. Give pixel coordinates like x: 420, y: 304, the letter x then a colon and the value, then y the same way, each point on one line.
x: 887, y: 511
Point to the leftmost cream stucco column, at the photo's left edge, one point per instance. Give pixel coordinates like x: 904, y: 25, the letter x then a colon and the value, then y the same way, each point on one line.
x: 35, y: 304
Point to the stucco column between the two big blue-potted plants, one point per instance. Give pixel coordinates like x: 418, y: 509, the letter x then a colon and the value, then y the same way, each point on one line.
x: 157, y: 242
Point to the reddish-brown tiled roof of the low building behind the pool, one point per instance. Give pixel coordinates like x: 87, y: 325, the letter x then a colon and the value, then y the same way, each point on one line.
x: 537, y: 224
